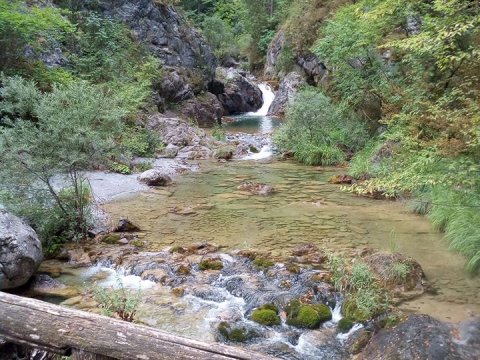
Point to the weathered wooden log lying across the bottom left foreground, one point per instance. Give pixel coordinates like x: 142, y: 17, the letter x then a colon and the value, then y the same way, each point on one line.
x: 63, y: 330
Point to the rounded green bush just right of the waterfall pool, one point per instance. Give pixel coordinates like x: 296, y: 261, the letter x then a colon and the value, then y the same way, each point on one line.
x: 324, y: 137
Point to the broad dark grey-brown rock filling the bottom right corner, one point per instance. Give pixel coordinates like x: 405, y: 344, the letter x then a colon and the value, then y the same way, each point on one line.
x: 422, y: 337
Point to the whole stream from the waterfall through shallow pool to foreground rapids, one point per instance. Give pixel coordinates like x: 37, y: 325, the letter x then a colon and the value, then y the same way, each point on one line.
x: 304, y: 208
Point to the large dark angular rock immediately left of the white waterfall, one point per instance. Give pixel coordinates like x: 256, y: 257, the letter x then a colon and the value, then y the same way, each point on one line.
x: 239, y: 95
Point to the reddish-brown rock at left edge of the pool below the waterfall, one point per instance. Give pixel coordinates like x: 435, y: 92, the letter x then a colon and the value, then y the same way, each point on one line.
x: 205, y: 110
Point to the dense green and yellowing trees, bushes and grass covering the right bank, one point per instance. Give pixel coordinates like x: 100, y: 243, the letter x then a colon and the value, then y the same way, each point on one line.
x: 410, y: 70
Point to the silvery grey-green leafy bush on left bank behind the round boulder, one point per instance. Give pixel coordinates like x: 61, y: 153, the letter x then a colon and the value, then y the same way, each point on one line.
x: 43, y: 161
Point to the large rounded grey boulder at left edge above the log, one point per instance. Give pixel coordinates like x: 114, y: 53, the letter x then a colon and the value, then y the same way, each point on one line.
x: 20, y: 251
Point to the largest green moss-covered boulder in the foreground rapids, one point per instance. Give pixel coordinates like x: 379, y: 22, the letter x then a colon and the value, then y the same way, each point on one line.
x: 307, y: 316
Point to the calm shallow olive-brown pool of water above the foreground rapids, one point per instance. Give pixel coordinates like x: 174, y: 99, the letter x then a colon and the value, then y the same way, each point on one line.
x: 305, y: 209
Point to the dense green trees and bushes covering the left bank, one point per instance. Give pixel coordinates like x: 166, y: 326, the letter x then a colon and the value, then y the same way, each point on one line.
x: 56, y: 122
